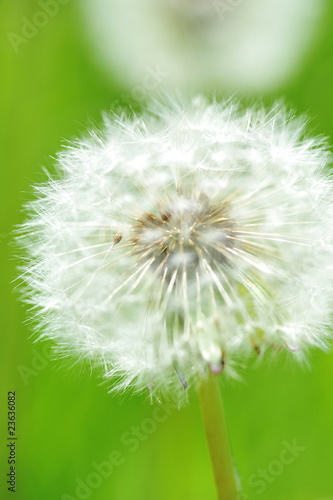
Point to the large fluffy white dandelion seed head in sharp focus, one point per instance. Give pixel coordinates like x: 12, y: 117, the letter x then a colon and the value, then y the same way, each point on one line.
x: 182, y: 241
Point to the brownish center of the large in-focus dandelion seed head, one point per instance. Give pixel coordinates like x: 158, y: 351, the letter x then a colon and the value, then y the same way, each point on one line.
x: 182, y: 233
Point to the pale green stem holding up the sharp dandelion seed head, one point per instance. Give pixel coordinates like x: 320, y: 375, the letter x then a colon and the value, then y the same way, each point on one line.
x: 217, y: 438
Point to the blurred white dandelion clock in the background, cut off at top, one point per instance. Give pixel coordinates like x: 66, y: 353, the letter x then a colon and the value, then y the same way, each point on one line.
x: 254, y: 45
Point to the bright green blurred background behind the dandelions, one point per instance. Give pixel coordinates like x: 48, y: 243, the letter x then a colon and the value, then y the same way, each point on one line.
x: 54, y: 89
